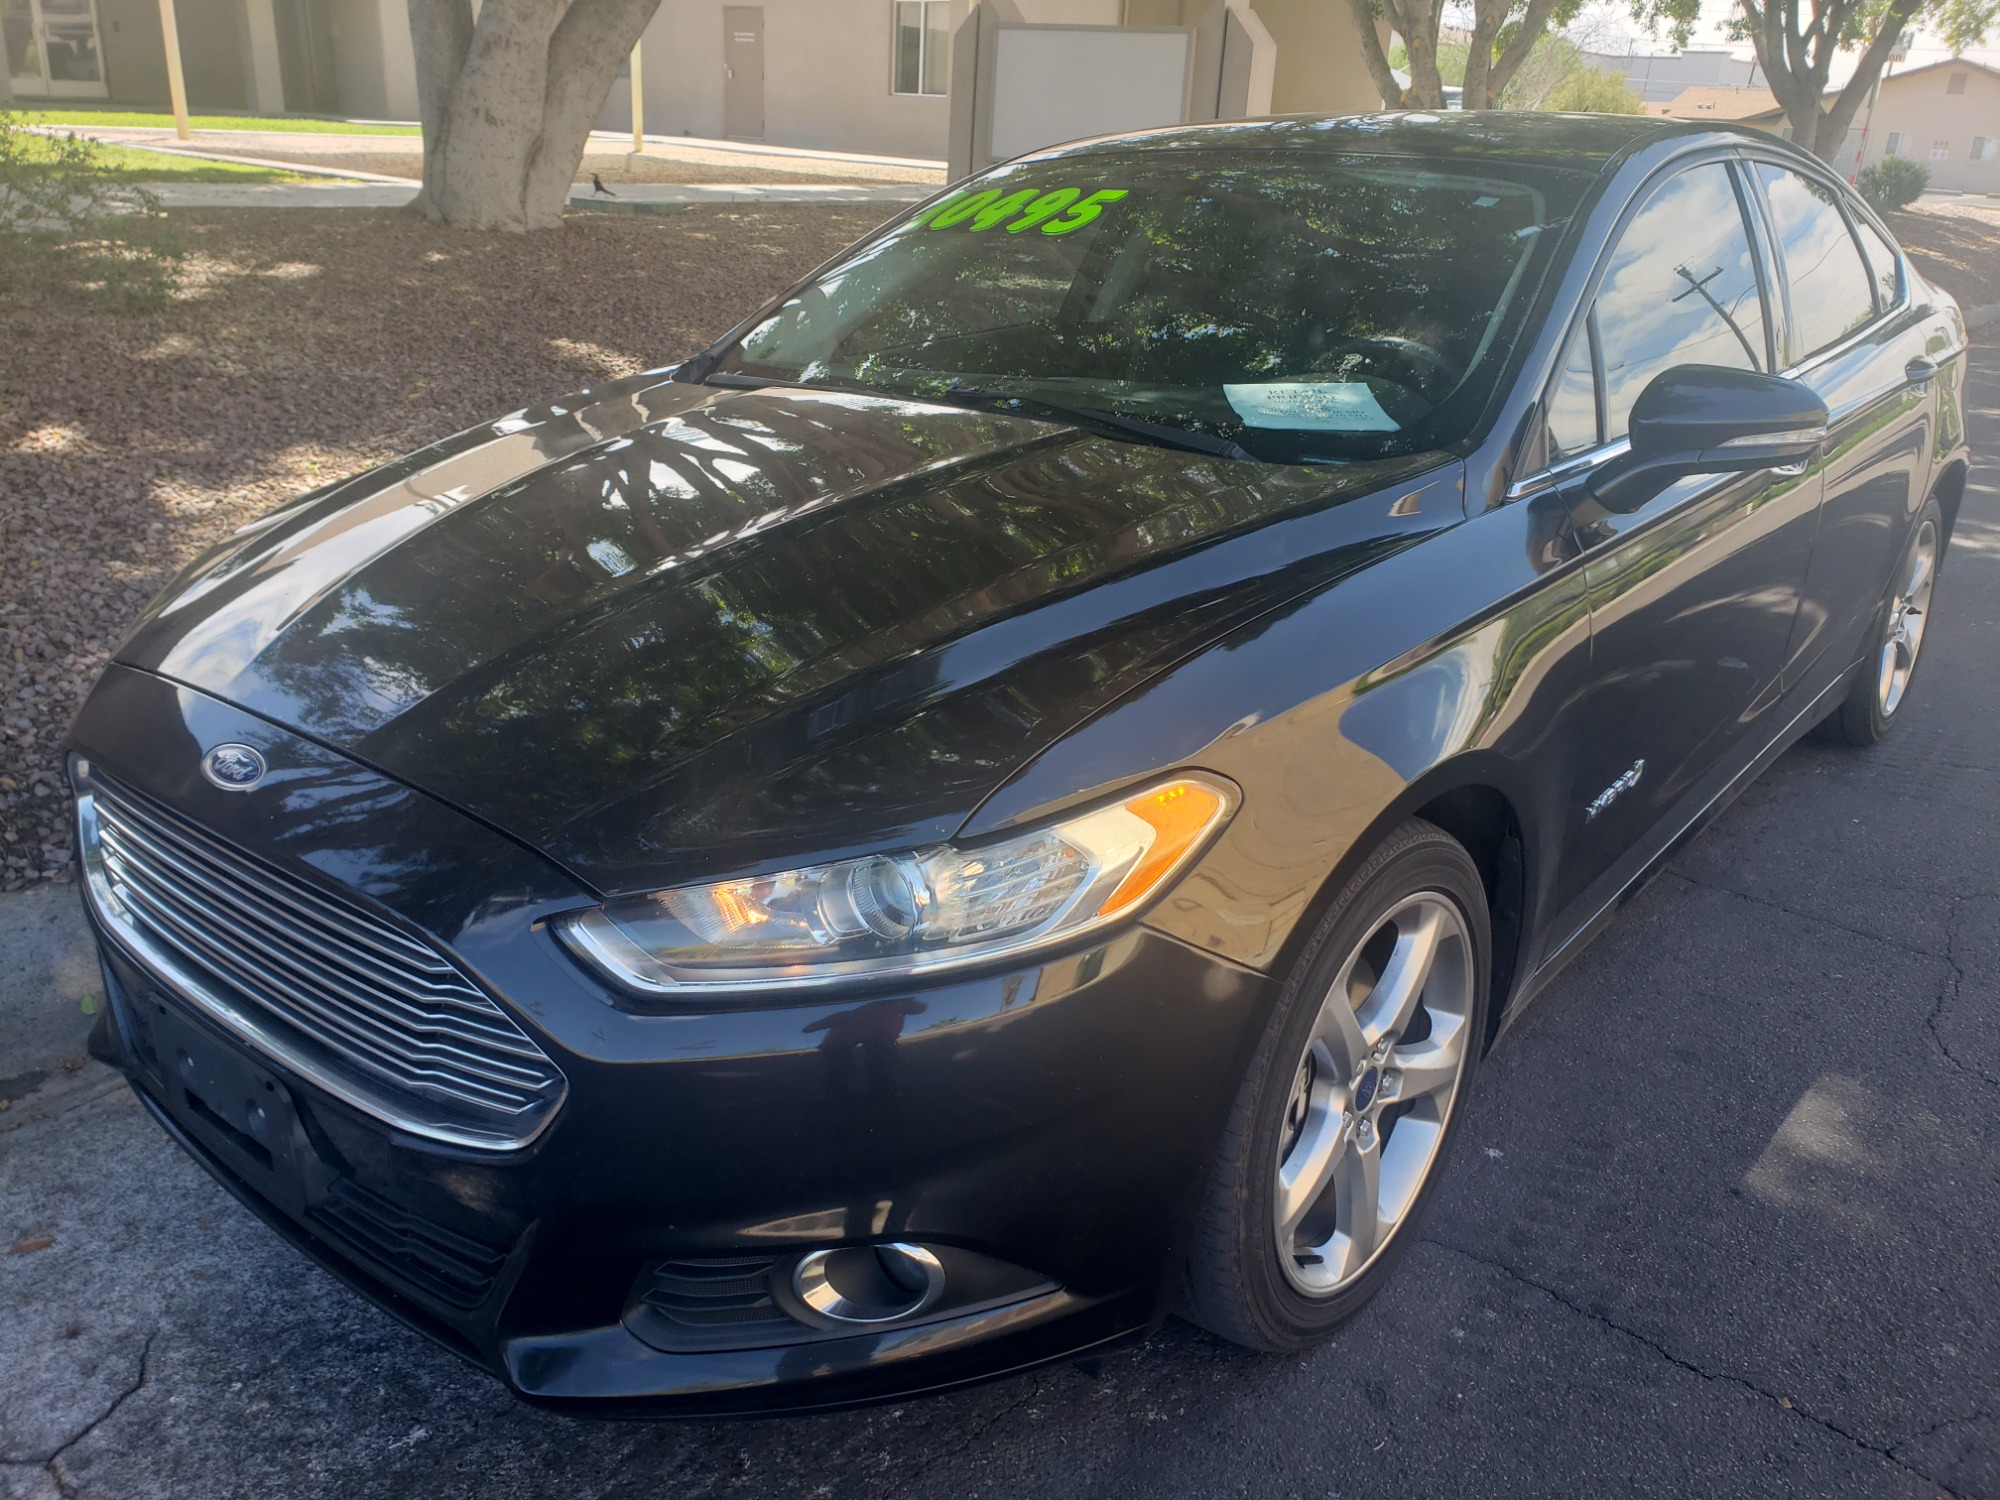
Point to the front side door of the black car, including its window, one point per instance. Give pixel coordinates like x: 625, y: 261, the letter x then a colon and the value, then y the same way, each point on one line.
x: 1693, y: 593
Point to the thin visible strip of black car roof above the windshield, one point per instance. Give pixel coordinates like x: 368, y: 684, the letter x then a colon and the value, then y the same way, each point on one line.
x: 1573, y: 141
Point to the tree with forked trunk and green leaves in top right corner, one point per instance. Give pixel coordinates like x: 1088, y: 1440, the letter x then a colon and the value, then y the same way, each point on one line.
x: 1797, y: 47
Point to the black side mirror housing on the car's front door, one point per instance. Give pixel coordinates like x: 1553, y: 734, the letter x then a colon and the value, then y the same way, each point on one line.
x: 1703, y: 419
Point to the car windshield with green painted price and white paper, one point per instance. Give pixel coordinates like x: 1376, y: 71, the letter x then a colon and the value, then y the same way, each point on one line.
x: 1301, y: 307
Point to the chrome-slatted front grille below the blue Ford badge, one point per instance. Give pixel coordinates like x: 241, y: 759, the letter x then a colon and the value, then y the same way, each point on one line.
x: 309, y: 979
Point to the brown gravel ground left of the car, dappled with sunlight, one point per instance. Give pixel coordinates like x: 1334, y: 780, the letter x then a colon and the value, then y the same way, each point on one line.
x: 305, y: 347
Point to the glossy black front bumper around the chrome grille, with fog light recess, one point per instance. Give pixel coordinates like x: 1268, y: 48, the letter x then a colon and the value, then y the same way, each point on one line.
x: 1055, y: 1119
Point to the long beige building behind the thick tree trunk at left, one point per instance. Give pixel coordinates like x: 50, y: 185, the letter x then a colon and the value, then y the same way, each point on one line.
x: 843, y: 75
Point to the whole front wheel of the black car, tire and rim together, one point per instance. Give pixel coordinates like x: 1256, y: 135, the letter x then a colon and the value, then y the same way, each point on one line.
x: 1309, y: 1113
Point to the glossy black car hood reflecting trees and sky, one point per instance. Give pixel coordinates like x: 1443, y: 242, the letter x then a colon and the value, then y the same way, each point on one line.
x: 667, y: 631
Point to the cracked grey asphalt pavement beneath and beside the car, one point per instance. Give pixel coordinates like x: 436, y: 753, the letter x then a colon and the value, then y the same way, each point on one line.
x: 1725, y: 1221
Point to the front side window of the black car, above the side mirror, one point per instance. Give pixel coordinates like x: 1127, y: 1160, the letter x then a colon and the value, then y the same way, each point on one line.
x: 1681, y: 289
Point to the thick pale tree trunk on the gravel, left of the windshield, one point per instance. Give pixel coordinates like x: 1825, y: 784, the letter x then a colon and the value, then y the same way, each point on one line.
x: 509, y: 103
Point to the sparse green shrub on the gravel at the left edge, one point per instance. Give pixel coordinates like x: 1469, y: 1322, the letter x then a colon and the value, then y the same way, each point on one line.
x: 67, y: 221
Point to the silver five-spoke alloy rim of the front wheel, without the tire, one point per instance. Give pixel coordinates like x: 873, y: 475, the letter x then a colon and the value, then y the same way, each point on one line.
x: 1373, y: 1093
